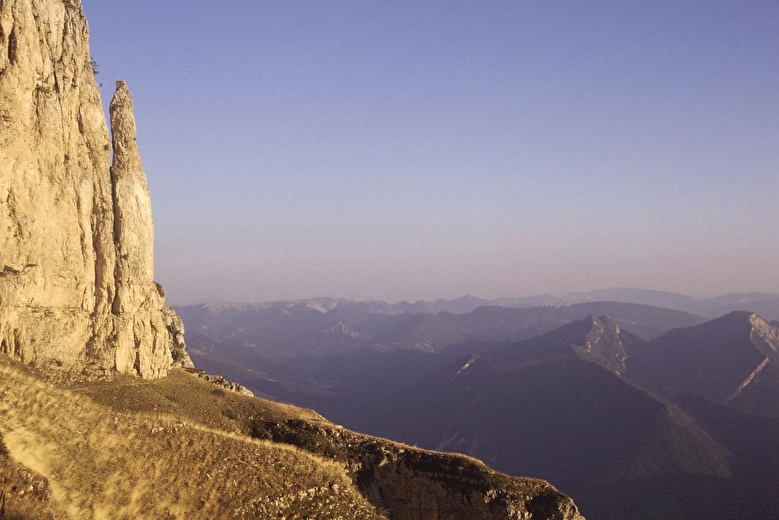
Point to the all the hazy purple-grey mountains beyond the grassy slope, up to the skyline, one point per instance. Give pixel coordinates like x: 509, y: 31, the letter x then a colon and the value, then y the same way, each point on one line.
x: 637, y: 411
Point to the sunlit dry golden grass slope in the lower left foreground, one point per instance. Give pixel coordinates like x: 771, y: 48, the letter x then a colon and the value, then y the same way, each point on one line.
x: 110, y: 463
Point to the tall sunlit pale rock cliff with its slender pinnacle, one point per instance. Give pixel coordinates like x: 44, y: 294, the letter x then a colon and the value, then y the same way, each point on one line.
x: 76, y: 236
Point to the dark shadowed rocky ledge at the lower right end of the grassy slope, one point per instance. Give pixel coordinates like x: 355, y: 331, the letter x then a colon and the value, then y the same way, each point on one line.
x: 416, y: 484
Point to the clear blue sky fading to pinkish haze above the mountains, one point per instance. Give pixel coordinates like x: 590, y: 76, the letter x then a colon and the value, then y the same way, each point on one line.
x: 406, y: 150
